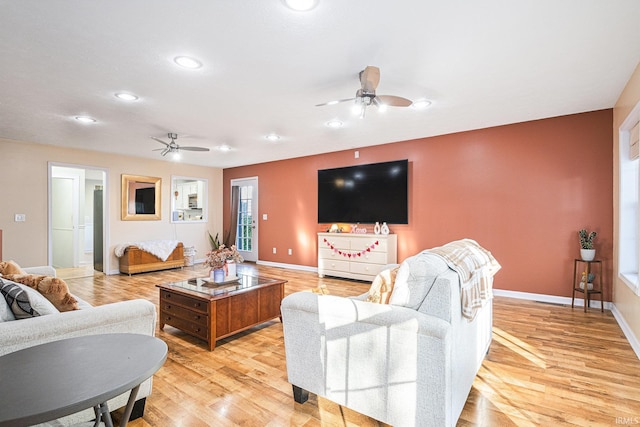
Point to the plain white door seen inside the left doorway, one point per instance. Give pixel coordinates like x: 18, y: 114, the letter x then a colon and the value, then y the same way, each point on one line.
x: 64, y: 222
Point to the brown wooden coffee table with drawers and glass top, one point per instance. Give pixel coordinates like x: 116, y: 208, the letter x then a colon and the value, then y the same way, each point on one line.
x: 213, y: 311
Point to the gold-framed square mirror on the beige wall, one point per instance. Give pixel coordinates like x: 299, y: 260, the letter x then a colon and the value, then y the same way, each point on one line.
x: 141, y: 198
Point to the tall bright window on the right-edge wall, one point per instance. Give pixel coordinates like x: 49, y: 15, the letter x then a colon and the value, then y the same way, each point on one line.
x: 629, y: 198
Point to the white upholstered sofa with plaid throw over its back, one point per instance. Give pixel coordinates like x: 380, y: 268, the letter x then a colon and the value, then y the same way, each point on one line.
x: 410, y: 362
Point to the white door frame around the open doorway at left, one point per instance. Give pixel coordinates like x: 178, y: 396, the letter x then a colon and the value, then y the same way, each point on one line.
x: 105, y: 217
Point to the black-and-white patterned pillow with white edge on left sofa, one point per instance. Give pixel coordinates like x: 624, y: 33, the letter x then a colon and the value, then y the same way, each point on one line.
x: 25, y: 302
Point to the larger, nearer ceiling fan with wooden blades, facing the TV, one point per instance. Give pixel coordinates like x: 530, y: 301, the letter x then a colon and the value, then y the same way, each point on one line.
x: 366, y: 95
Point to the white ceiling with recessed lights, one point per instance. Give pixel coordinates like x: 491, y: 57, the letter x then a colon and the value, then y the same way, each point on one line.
x: 483, y: 63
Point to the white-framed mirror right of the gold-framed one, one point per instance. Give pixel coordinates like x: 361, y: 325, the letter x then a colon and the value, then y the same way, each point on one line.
x: 188, y: 199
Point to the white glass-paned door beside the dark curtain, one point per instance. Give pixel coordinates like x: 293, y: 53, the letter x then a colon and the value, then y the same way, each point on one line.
x: 247, y: 230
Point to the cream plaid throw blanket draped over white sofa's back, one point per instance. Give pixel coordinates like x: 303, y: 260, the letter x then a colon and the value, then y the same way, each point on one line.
x: 475, y: 267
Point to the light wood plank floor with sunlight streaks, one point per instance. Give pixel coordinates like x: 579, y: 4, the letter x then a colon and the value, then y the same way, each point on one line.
x: 548, y: 365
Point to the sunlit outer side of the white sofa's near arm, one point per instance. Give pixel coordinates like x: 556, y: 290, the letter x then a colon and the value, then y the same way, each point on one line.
x: 389, y: 362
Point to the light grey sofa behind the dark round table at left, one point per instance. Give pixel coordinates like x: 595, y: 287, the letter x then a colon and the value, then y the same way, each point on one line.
x: 134, y: 316
